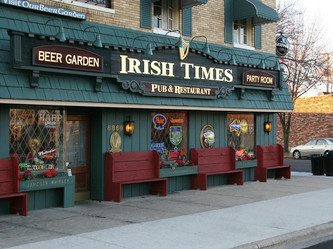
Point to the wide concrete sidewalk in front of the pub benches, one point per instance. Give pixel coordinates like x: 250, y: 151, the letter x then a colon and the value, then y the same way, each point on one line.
x: 279, y: 213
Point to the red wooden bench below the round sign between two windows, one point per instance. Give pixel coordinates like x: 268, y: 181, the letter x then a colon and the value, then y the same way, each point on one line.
x: 215, y: 161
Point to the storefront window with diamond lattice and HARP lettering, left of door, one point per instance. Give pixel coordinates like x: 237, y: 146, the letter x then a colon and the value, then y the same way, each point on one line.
x: 36, y: 138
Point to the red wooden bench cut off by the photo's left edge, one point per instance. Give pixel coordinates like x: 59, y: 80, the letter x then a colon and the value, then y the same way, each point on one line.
x: 9, y: 187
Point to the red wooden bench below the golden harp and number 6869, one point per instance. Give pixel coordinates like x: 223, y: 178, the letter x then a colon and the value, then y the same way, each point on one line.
x: 132, y: 167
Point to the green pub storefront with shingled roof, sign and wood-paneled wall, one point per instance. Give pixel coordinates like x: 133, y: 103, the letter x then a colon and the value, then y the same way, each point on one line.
x: 75, y: 79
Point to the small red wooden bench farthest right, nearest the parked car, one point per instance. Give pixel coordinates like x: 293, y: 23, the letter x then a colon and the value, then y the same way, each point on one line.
x: 270, y: 157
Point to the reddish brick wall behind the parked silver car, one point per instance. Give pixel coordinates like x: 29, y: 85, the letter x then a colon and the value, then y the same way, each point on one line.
x: 306, y: 126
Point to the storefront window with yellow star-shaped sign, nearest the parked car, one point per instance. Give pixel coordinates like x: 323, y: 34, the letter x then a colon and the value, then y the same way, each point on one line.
x: 241, y: 135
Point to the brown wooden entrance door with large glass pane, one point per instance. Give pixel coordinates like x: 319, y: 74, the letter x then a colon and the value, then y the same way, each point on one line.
x: 78, y: 153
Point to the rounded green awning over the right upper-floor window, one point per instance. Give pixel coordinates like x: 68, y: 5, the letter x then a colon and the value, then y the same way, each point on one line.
x: 255, y: 9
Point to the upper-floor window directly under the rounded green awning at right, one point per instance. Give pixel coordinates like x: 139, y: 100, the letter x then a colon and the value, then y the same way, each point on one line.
x: 242, y: 32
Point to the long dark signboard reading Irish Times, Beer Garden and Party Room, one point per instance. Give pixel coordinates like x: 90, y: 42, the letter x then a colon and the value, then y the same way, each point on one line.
x: 163, y: 74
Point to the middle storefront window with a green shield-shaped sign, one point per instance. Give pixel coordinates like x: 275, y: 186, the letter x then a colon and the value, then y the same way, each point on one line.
x: 169, y: 135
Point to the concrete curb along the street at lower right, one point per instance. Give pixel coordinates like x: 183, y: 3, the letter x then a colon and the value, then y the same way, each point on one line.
x: 298, y: 239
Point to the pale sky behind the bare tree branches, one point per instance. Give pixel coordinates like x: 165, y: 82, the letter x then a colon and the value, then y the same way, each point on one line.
x: 320, y: 12
